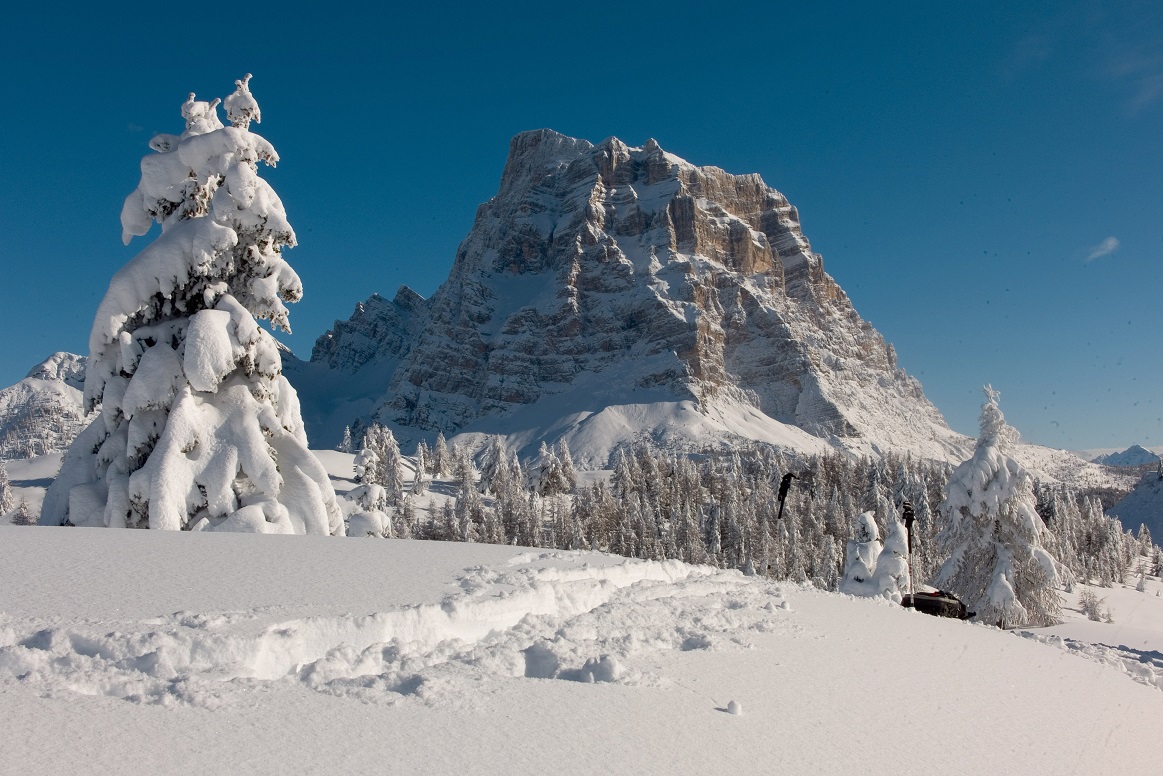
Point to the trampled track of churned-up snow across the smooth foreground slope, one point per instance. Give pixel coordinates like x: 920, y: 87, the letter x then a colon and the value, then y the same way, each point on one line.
x: 543, y: 616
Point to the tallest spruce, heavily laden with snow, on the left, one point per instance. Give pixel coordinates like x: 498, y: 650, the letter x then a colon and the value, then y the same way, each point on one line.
x: 198, y: 429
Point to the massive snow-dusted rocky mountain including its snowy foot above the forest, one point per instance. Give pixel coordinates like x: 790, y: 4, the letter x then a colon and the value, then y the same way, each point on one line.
x: 611, y: 295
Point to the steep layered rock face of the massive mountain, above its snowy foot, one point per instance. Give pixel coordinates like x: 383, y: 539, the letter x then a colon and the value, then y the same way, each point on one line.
x: 660, y: 276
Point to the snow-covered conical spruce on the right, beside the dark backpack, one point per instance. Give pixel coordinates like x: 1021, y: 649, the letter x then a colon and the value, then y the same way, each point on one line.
x: 997, y: 564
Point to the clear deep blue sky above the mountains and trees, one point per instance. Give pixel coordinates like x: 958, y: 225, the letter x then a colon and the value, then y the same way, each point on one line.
x: 984, y: 181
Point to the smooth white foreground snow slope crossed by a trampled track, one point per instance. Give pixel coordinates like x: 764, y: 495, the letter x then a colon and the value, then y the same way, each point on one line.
x: 252, y: 654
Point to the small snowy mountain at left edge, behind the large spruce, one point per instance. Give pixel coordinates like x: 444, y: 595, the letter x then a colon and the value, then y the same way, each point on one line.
x: 44, y: 412
